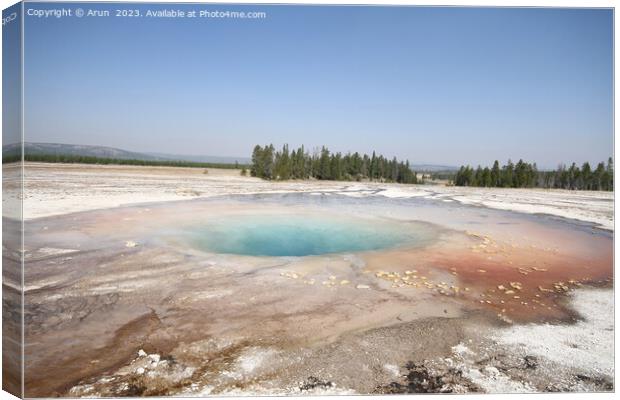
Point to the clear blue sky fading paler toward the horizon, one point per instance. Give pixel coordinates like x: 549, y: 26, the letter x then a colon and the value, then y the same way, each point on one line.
x: 432, y: 85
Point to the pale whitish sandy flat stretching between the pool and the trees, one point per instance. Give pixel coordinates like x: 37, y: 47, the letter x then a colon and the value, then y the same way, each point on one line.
x: 54, y: 189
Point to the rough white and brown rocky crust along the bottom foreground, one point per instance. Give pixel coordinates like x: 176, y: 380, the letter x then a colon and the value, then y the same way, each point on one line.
x: 472, y: 356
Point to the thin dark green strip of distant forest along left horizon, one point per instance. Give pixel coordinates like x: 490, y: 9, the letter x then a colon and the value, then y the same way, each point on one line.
x: 76, y: 159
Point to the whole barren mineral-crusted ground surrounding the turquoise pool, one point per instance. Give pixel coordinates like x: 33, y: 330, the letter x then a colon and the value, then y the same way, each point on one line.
x: 490, y: 290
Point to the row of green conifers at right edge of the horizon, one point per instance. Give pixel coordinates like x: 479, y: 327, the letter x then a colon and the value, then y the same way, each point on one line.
x: 527, y: 175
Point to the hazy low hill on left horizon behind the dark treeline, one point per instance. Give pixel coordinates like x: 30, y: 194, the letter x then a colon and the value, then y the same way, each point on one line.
x: 111, y: 152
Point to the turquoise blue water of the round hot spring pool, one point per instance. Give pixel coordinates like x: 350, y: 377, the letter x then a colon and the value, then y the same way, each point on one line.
x: 293, y: 235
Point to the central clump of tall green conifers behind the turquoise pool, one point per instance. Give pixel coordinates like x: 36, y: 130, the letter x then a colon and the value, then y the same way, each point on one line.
x: 271, y: 164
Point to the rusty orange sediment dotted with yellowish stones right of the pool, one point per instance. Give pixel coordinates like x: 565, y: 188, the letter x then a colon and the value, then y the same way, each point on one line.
x: 523, y: 283
